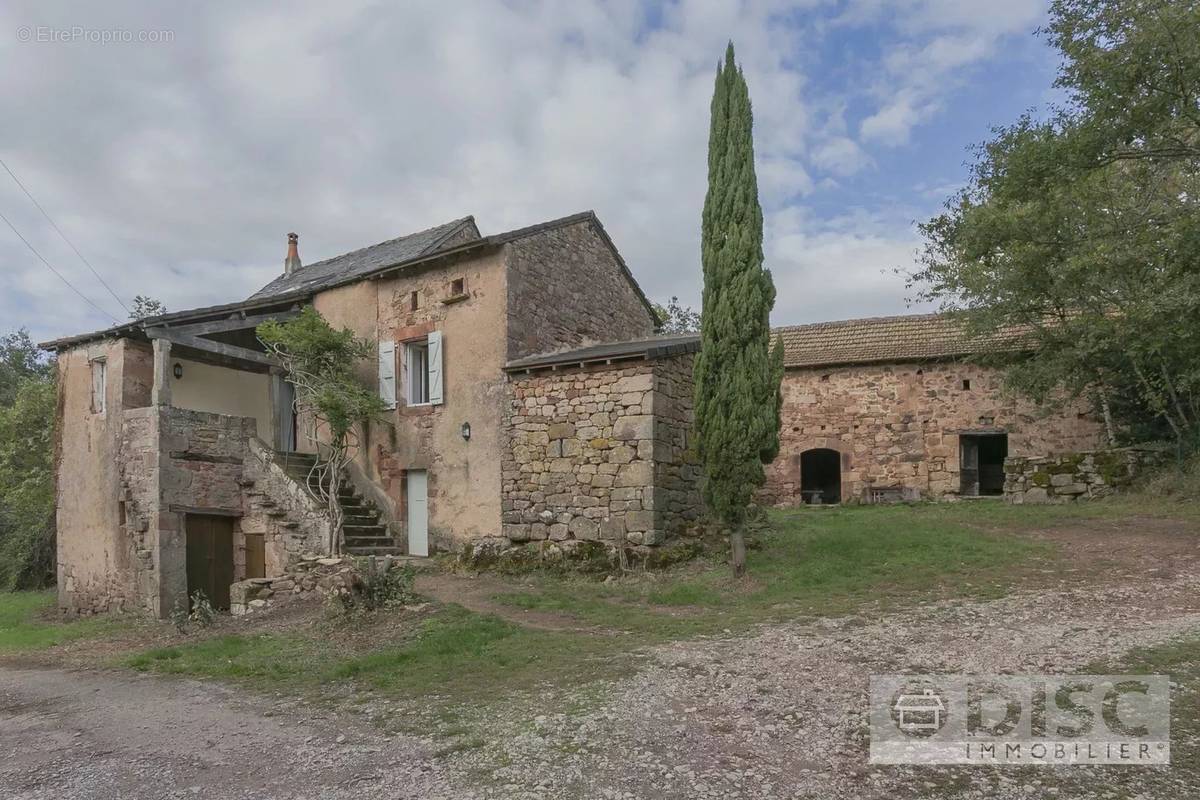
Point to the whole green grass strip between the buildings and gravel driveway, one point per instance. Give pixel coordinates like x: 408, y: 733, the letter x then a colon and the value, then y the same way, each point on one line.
x: 807, y: 563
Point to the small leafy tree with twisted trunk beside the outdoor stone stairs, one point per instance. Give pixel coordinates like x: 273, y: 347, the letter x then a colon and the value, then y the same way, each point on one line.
x: 321, y: 364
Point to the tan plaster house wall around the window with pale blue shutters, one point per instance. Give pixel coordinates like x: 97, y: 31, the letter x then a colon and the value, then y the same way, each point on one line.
x: 464, y: 477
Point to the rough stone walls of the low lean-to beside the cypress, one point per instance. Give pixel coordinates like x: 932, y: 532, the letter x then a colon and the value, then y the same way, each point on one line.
x: 601, y: 454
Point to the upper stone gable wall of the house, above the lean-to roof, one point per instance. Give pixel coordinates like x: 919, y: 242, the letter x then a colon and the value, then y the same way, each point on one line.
x: 567, y: 290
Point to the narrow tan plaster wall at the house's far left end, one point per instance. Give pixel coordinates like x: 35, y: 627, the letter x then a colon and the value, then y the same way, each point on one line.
x: 97, y: 567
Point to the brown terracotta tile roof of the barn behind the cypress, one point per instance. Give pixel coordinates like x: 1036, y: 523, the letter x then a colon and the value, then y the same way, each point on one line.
x: 913, y: 338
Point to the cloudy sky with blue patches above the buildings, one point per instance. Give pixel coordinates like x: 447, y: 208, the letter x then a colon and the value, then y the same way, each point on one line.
x: 177, y: 155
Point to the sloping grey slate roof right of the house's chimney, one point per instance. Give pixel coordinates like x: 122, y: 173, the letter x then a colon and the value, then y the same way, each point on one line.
x: 341, y: 269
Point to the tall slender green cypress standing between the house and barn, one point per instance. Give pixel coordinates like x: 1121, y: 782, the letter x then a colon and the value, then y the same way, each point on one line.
x: 737, y: 372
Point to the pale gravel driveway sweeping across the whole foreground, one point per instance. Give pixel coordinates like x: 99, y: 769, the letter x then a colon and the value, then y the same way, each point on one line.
x: 777, y: 714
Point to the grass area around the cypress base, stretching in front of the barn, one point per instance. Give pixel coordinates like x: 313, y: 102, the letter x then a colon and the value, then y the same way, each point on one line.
x: 812, y: 562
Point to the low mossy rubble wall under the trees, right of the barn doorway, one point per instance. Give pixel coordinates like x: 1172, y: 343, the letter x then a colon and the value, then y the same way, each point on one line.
x: 1076, y: 477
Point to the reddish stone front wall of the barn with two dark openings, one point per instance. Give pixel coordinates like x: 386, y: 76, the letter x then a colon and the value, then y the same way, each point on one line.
x: 899, y: 424
